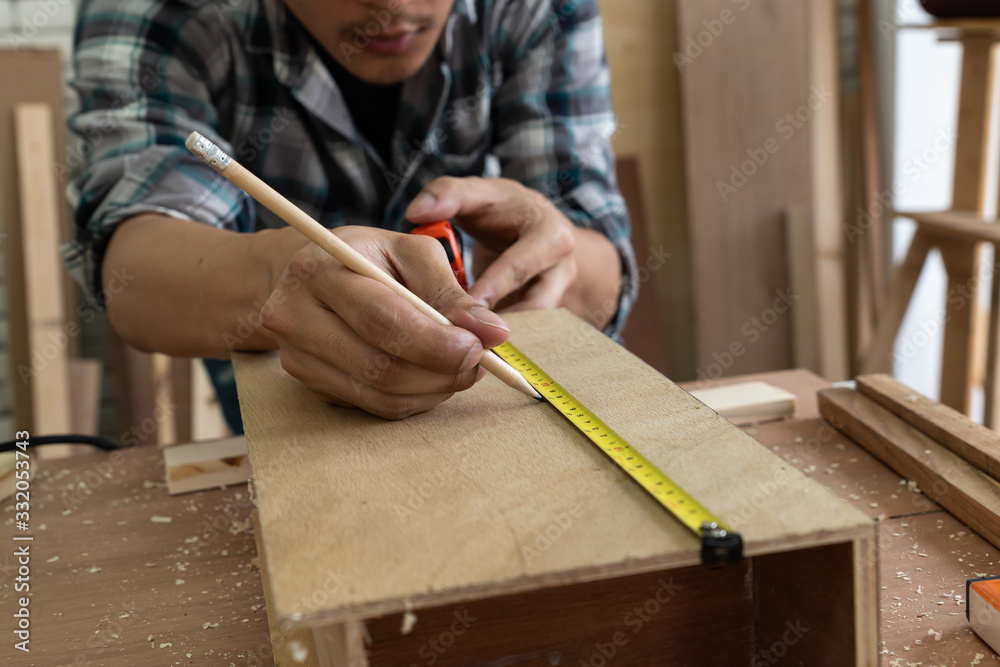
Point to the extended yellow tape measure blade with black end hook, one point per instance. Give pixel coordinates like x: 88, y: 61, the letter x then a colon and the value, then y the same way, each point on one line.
x: 718, y: 542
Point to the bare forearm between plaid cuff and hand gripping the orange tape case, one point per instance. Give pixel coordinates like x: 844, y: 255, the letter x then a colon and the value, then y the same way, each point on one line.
x: 593, y: 295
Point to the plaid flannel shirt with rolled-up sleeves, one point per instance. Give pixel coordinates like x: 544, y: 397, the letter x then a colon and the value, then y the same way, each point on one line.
x: 515, y: 88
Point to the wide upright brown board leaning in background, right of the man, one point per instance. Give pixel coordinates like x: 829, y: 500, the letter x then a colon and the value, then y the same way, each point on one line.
x: 736, y: 204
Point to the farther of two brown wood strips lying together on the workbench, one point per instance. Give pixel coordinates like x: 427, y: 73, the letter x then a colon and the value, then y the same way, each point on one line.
x: 973, y: 442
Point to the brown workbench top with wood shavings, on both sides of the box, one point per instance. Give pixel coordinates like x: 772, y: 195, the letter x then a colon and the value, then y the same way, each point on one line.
x: 114, y: 581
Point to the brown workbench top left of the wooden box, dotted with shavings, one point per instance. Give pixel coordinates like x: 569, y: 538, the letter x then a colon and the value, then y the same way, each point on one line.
x: 106, y: 575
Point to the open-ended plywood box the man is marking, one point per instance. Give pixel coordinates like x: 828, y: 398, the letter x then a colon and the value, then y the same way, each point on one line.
x: 489, y: 531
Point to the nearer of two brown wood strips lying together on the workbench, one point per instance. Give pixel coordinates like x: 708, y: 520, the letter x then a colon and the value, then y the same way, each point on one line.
x: 970, y: 494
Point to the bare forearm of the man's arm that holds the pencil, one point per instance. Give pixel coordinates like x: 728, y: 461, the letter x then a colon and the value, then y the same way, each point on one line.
x: 193, y: 290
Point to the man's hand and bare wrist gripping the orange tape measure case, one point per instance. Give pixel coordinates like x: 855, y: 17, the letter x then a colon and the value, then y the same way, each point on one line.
x: 528, y: 255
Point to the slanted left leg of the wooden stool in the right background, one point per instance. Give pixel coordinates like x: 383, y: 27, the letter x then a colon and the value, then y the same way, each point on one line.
x: 904, y: 282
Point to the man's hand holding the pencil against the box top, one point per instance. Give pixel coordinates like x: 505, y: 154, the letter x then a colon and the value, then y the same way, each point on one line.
x: 354, y: 342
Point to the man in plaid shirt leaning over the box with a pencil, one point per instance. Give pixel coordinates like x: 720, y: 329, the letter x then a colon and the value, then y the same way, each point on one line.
x: 373, y: 116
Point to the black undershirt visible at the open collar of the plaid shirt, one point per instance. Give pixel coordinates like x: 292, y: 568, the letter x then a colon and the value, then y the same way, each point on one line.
x: 372, y: 107
